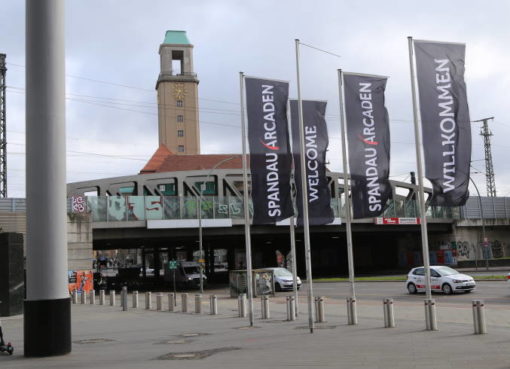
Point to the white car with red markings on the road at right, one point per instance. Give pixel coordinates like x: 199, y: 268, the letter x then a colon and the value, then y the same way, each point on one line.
x: 442, y: 279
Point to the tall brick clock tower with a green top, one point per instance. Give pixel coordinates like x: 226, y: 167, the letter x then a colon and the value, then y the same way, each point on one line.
x: 177, y: 88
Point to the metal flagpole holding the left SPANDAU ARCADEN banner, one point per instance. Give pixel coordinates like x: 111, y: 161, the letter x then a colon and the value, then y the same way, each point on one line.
x: 247, y: 234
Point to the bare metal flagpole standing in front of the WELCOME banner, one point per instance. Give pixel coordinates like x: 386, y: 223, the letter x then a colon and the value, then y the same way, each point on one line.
x: 306, y: 226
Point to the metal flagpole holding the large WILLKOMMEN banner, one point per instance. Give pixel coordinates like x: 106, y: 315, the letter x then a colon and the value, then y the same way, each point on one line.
x: 421, y: 197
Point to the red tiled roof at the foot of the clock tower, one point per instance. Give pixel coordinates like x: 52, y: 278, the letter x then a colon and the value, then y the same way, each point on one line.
x: 165, y: 161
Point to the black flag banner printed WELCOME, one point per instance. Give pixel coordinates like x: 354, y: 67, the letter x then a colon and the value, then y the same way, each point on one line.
x: 316, y: 144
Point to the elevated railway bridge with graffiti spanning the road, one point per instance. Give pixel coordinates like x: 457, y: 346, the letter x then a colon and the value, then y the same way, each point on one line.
x: 155, y: 217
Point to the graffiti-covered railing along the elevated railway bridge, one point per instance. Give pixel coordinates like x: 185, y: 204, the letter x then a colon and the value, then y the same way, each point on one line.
x: 136, y: 208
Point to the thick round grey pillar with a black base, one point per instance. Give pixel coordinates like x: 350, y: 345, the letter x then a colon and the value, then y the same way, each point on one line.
x: 47, y: 310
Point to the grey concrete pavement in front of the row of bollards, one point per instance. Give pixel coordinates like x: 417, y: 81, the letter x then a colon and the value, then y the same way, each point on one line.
x: 106, y: 337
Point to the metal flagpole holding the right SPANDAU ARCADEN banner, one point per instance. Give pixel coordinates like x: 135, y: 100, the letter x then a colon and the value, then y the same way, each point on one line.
x: 352, y: 314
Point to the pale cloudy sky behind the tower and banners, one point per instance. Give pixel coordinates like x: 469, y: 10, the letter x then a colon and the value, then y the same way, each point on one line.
x: 112, y: 64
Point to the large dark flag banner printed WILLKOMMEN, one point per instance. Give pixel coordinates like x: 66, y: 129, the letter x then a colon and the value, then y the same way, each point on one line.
x: 445, y: 121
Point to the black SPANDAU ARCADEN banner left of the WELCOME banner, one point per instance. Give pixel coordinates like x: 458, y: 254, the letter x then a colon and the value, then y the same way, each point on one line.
x: 270, y: 157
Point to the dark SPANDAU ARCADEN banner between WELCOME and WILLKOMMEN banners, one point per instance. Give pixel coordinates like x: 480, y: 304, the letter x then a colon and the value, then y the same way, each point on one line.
x: 368, y: 137
